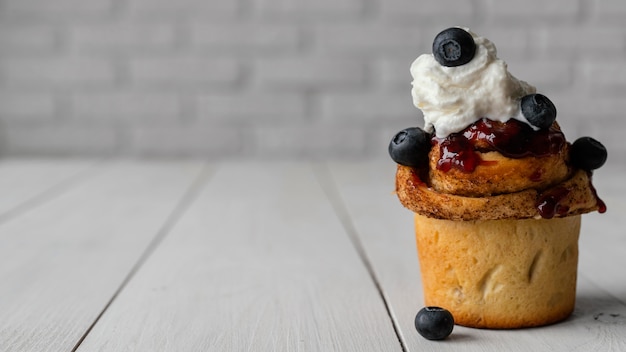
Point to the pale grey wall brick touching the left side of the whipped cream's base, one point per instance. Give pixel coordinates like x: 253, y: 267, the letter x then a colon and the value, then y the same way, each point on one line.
x: 367, y: 108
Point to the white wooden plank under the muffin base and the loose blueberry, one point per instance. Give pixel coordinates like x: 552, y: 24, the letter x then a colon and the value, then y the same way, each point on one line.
x: 386, y: 232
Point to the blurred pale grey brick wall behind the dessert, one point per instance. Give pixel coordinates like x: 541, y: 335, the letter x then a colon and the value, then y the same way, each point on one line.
x: 279, y: 78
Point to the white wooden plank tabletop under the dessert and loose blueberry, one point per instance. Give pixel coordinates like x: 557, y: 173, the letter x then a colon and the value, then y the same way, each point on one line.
x: 127, y: 255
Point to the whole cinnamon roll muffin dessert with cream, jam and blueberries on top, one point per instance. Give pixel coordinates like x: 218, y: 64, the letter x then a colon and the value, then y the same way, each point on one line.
x: 496, y: 190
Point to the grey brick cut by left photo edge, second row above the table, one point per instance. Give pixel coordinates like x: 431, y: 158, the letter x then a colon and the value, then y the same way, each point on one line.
x: 26, y: 105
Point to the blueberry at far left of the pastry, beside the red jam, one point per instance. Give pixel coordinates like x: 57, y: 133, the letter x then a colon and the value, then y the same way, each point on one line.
x: 410, y: 147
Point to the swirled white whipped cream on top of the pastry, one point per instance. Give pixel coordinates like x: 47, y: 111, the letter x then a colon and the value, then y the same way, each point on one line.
x: 452, y: 98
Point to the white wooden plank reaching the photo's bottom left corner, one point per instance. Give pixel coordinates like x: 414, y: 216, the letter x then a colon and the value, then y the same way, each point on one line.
x: 62, y: 262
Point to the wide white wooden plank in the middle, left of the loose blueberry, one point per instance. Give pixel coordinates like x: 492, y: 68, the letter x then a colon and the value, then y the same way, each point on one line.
x: 260, y: 262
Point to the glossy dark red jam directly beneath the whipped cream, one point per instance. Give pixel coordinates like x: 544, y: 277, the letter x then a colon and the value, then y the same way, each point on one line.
x: 513, y: 139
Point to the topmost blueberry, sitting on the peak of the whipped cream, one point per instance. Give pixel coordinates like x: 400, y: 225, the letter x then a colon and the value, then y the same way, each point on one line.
x: 454, y: 47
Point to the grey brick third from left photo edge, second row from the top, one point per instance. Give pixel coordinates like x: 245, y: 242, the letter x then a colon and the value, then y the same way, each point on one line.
x: 249, y: 37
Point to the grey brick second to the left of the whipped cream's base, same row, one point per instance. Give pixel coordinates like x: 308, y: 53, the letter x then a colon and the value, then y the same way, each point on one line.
x: 251, y: 107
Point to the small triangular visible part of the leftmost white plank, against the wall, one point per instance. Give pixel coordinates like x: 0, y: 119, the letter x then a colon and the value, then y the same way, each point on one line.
x: 25, y: 183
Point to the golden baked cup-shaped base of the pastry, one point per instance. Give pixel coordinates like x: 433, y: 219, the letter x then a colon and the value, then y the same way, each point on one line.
x: 500, y: 274
